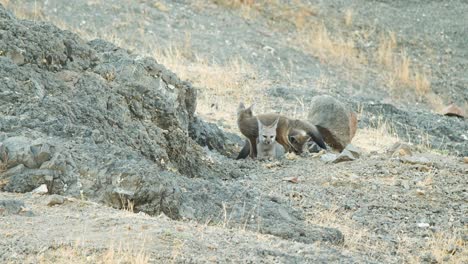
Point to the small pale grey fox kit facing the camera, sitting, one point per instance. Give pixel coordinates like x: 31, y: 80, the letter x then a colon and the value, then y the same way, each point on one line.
x: 267, y: 147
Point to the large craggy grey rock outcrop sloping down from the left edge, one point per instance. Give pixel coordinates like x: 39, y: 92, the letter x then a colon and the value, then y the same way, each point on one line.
x: 92, y: 120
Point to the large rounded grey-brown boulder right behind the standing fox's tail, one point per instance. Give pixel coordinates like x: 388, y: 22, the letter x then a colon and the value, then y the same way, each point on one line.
x: 335, y: 121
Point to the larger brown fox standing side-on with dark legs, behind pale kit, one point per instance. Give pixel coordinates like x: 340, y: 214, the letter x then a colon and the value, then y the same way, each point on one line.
x: 248, y: 125
